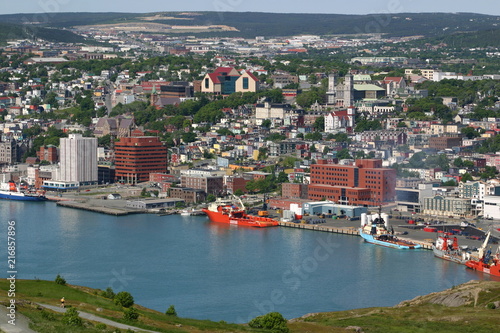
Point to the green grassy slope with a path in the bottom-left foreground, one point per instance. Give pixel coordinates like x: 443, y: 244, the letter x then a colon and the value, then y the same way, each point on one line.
x: 30, y: 292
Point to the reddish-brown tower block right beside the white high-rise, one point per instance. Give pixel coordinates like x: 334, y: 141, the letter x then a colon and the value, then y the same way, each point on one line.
x: 137, y: 157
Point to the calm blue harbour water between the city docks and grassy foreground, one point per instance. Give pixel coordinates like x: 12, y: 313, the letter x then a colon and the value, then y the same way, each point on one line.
x: 216, y: 271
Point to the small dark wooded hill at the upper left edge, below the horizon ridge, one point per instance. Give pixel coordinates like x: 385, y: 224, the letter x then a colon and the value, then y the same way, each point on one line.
x: 16, y: 31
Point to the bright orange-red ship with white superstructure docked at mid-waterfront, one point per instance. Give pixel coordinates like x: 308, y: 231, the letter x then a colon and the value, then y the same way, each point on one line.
x: 225, y: 211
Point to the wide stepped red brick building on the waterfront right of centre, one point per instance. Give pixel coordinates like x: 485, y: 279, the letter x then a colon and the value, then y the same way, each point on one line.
x: 365, y: 183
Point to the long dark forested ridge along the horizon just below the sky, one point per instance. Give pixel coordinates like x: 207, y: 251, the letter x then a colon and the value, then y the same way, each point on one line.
x: 251, y: 24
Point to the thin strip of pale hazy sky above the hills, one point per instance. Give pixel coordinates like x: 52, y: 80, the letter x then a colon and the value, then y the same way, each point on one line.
x: 278, y: 6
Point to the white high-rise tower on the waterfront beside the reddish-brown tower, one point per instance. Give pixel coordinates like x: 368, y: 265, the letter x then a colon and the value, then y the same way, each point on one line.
x: 78, y: 160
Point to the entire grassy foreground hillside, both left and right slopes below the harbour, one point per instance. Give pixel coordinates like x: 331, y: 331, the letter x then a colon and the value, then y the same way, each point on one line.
x: 471, y: 307
